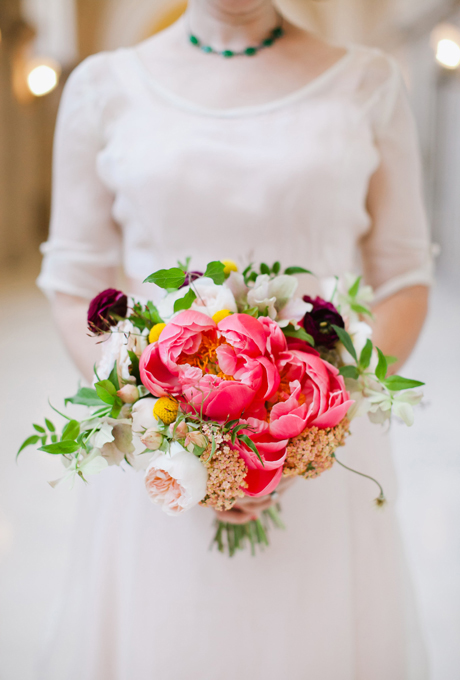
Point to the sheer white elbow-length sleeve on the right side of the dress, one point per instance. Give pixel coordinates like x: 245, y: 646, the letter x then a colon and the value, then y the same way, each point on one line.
x: 396, y: 252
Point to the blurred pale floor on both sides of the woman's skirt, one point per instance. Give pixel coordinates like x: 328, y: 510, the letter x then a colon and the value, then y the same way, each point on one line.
x: 36, y: 521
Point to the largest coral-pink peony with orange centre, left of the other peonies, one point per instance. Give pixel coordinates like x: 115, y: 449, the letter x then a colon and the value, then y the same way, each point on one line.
x: 218, y: 369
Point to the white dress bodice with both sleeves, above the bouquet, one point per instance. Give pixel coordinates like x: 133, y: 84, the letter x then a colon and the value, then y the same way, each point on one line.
x: 327, y: 178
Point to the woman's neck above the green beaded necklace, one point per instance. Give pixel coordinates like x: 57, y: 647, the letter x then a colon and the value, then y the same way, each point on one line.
x: 231, y: 24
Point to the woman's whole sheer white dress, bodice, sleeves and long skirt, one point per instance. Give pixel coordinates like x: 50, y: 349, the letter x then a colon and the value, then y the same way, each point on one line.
x: 327, y: 178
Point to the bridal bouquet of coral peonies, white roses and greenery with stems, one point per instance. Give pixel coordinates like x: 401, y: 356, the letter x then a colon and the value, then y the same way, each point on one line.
x: 229, y: 384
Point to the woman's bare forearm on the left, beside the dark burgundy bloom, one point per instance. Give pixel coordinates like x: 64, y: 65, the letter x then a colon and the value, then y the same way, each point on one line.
x: 70, y: 314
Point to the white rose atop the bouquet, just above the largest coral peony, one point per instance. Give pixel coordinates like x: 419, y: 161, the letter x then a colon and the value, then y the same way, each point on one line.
x: 211, y: 298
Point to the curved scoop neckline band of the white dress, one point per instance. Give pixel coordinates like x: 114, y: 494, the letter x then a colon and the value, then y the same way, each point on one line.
x: 252, y: 110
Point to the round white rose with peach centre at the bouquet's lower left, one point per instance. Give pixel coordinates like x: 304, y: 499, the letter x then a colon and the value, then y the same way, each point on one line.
x: 176, y: 481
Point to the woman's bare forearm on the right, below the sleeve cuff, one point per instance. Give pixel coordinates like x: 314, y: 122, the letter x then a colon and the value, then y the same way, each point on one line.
x: 398, y: 322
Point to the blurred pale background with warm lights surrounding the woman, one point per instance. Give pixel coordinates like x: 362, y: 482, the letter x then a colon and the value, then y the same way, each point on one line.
x: 41, y: 41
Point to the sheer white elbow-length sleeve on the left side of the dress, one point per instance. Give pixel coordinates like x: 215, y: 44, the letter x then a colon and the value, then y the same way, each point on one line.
x: 83, y: 252
